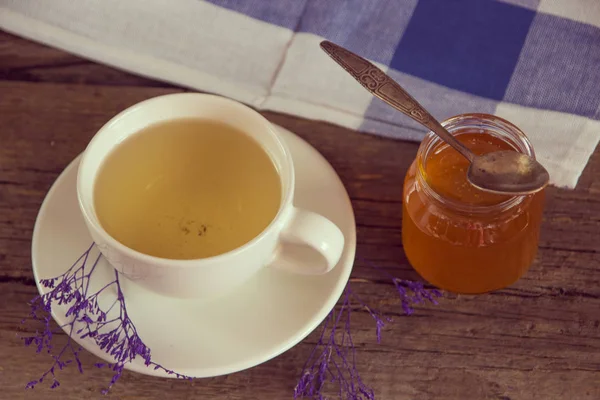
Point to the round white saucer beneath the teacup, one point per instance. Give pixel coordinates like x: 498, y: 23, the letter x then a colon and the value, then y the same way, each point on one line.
x: 203, y: 338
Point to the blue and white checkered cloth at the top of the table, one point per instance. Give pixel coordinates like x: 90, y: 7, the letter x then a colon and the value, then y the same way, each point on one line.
x: 533, y: 62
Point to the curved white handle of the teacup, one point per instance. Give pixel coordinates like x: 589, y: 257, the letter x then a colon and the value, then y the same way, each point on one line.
x: 309, y: 244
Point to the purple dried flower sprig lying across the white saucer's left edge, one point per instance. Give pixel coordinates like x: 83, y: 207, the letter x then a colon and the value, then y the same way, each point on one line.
x: 112, y: 330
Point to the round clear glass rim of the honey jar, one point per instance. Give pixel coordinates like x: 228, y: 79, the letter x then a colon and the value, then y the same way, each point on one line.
x: 491, y: 124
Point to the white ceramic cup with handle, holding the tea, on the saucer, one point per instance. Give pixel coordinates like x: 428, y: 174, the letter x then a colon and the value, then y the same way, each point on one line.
x: 297, y: 240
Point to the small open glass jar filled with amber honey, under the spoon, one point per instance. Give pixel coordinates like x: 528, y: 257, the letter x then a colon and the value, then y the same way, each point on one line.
x: 468, y: 246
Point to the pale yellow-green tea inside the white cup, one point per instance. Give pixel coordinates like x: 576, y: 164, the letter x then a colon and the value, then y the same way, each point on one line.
x: 186, y: 189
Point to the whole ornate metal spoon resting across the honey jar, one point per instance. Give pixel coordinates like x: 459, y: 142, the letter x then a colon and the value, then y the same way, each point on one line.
x: 503, y: 172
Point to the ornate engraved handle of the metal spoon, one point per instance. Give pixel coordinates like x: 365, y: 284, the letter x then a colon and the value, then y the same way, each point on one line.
x: 382, y: 86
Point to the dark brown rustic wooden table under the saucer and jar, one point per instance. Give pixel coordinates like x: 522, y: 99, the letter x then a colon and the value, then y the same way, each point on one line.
x: 539, y: 339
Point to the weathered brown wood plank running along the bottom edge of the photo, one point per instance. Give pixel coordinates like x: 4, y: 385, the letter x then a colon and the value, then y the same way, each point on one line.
x: 456, y: 350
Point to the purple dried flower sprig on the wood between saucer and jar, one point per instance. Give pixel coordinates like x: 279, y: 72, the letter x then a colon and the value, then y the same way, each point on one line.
x: 333, y: 359
